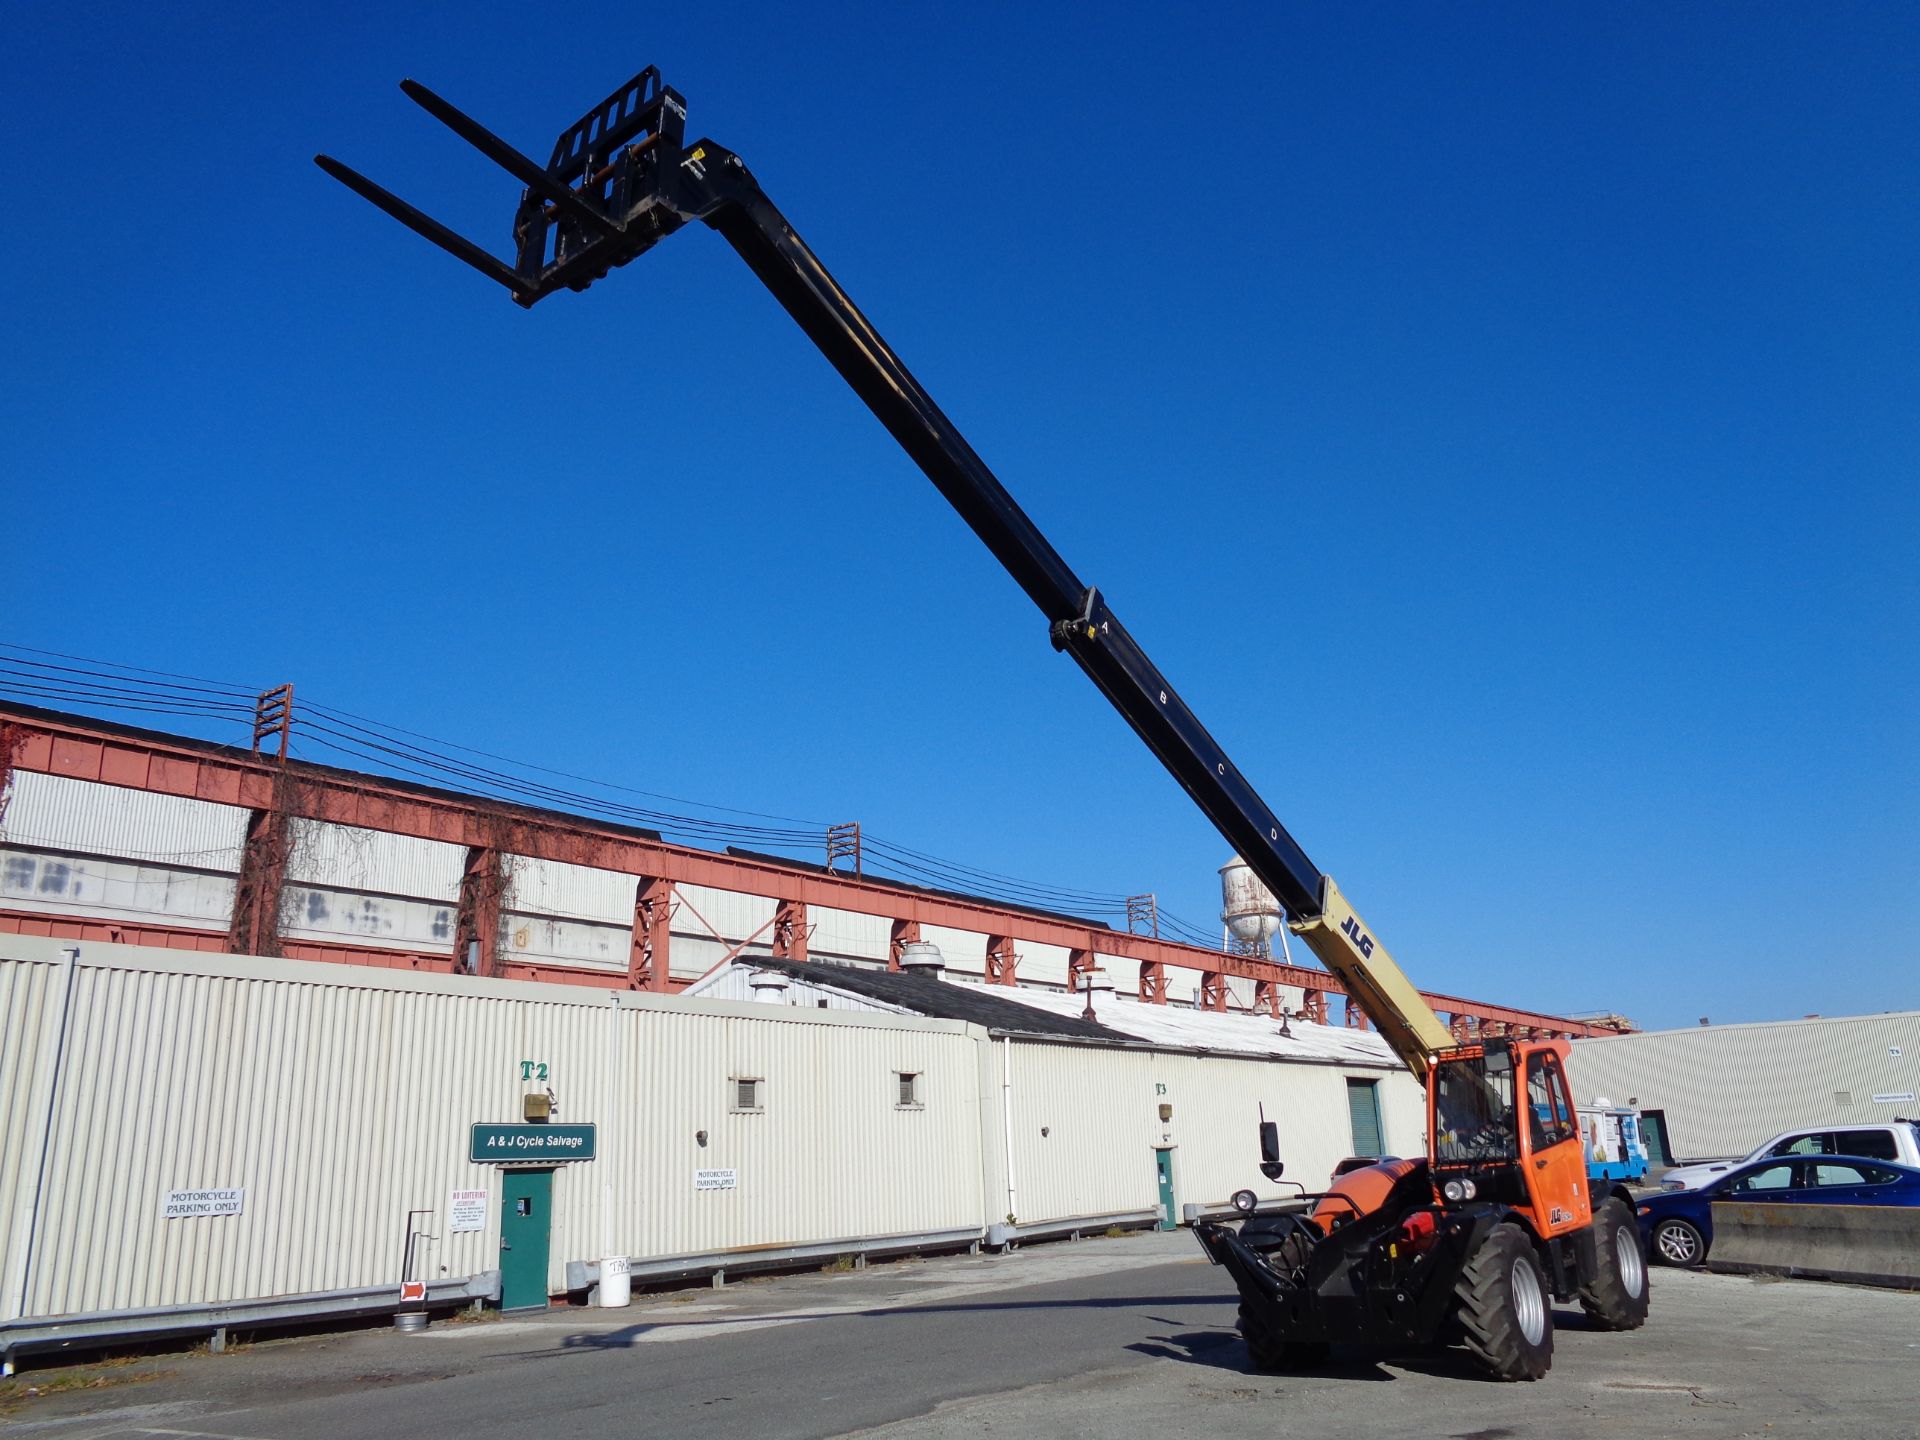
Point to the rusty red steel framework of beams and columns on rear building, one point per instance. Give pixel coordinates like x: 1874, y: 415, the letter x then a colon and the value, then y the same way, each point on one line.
x: 285, y: 790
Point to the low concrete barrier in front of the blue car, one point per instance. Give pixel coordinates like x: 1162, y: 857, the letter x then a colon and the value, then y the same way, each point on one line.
x: 1865, y: 1245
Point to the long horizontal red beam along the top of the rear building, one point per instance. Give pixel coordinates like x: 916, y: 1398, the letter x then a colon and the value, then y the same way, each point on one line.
x: 168, y: 767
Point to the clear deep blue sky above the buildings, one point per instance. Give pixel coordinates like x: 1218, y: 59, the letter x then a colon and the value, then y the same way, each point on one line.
x: 1500, y: 421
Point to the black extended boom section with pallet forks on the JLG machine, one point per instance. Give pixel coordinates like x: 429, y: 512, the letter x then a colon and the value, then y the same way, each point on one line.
x: 619, y: 181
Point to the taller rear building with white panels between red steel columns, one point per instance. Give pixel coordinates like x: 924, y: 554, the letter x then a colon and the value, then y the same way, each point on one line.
x: 120, y: 834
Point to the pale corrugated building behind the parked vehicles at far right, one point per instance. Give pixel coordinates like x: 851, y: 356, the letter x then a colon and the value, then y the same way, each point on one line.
x: 1723, y: 1090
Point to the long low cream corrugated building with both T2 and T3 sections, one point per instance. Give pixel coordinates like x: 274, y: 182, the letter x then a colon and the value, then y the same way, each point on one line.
x: 325, y: 1113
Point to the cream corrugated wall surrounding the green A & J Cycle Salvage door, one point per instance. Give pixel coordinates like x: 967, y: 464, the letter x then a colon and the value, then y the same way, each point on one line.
x: 341, y: 1099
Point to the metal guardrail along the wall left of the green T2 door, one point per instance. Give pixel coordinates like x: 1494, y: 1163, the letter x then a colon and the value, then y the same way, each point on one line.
x: 93, y: 1332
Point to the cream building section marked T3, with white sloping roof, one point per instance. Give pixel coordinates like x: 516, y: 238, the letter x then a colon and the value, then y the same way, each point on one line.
x: 1090, y: 1115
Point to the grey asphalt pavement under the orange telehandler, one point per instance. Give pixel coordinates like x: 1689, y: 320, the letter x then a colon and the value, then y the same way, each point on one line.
x: 1126, y: 1337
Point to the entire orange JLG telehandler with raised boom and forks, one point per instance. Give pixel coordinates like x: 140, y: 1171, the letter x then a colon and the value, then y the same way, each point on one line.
x: 1500, y: 1218
